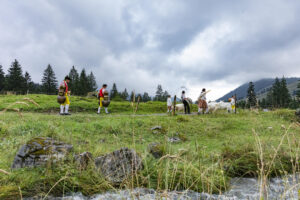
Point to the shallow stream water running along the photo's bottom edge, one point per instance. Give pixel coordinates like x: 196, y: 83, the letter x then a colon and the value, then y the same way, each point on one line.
x: 241, y: 188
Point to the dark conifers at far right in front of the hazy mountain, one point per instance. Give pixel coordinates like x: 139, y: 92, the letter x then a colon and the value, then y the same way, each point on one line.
x: 278, y: 96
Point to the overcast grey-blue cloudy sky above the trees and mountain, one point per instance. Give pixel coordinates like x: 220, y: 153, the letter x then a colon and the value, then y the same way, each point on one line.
x: 139, y: 44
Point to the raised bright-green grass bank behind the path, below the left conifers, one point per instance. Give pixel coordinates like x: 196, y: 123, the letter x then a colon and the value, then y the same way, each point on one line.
x: 48, y: 104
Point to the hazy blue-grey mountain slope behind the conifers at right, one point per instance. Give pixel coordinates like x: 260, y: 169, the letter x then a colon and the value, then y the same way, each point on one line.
x: 262, y: 86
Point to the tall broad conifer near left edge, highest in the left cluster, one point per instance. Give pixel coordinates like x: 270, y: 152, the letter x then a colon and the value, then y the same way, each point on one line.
x: 14, y: 79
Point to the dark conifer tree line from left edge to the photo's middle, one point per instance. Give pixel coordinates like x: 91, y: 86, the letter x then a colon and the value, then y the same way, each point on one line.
x: 81, y: 83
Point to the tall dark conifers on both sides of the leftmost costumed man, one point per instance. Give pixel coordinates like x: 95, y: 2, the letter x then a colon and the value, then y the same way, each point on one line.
x: 19, y: 83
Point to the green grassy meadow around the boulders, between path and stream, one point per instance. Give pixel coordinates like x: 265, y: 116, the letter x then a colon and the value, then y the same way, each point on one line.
x: 213, y: 149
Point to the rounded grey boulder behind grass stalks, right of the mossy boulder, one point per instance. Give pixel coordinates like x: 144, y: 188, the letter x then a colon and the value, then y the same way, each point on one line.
x: 119, y: 165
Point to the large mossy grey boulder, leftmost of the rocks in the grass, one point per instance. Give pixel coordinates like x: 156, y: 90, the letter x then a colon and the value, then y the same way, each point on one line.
x: 39, y: 151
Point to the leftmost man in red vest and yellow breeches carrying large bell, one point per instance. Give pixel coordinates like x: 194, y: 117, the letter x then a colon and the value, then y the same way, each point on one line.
x: 64, y: 94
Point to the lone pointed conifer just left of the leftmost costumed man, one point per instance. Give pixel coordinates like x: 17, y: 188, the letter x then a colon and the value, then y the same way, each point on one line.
x: 49, y: 82
